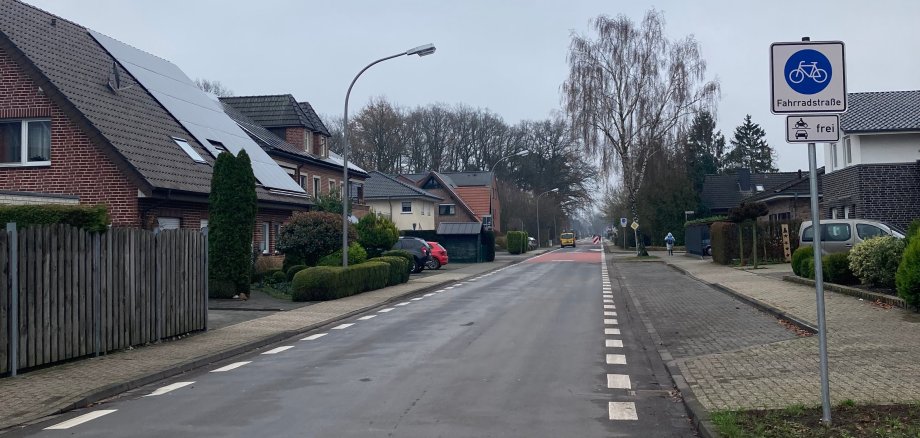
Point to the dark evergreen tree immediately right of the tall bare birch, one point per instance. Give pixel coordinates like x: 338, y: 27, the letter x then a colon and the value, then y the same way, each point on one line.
x: 703, y: 149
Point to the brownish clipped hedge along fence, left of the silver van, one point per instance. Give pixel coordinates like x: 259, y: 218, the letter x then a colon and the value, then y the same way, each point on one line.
x: 726, y: 246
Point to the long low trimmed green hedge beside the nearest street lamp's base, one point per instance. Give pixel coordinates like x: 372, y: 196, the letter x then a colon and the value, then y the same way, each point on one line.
x: 322, y: 283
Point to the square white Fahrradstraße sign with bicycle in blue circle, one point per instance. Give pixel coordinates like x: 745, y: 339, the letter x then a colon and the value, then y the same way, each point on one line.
x: 807, y: 77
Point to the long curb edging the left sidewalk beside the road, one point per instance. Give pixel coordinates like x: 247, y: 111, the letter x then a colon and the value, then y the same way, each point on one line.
x: 115, y: 389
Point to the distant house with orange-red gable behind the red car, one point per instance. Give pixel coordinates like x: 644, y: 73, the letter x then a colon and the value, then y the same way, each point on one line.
x: 473, y: 192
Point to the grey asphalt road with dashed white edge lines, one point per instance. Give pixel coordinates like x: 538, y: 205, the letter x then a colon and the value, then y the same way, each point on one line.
x: 526, y: 351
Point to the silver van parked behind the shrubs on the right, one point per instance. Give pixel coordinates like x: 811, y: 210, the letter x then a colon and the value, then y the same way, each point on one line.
x: 841, y: 235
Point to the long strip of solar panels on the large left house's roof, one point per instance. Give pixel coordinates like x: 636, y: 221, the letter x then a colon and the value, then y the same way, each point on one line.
x: 203, y: 117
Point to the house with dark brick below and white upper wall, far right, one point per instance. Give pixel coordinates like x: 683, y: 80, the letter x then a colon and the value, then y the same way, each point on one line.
x: 874, y: 171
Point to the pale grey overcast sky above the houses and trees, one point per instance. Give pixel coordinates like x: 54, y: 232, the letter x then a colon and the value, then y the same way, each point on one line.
x: 507, y: 56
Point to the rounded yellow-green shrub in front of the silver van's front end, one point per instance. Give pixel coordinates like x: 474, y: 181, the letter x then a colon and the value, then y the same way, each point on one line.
x: 875, y: 261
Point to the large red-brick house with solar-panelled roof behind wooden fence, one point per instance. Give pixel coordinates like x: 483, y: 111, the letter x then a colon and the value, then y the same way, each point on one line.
x: 82, y: 120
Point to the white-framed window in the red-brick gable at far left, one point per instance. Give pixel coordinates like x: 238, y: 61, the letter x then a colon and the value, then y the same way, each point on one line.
x: 25, y: 142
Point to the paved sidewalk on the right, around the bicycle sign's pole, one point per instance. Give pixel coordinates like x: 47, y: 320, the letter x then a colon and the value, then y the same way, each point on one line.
x: 874, y: 352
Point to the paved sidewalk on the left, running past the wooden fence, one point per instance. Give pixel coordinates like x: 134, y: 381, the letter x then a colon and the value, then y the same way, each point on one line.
x: 33, y: 395
